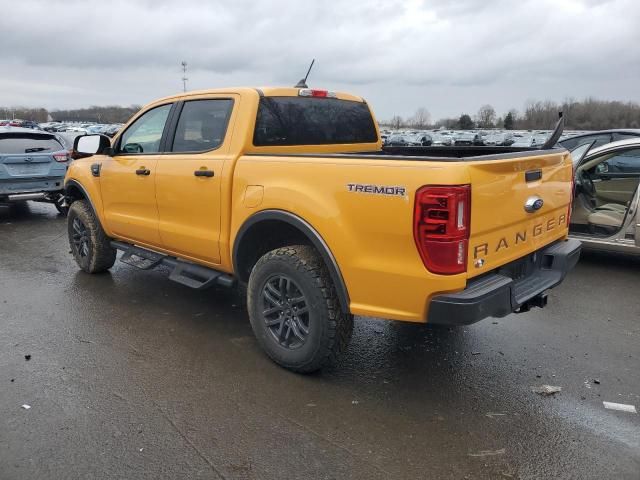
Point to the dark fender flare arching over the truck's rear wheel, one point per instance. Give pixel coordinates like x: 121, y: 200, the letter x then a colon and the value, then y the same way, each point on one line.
x: 314, y: 237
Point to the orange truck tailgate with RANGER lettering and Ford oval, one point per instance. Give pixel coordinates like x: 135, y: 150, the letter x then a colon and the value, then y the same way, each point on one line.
x: 502, y: 229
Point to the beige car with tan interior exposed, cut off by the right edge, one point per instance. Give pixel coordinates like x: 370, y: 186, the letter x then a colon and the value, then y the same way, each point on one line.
x: 605, y: 213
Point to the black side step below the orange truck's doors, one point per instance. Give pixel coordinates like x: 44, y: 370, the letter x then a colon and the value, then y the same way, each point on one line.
x: 183, y: 272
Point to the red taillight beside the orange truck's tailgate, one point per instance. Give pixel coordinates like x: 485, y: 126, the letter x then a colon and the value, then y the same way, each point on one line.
x: 441, y: 227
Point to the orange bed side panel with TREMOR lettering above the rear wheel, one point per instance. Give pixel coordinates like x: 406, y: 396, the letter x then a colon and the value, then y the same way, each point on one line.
x: 370, y: 235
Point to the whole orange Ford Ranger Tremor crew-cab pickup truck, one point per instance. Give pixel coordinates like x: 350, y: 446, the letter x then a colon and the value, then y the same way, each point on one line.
x: 288, y: 192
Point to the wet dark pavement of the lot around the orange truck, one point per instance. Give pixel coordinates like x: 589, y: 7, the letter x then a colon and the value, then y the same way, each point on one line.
x: 134, y: 376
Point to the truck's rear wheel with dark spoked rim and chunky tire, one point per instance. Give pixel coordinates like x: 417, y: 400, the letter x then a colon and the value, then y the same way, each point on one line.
x: 294, y: 309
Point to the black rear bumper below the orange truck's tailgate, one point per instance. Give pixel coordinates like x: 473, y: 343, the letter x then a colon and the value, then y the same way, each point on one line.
x: 502, y: 292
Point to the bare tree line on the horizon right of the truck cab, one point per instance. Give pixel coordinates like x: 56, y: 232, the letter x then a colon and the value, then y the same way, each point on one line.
x: 587, y: 114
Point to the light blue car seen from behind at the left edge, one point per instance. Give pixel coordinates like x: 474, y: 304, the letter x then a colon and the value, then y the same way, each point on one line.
x: 32, y: 166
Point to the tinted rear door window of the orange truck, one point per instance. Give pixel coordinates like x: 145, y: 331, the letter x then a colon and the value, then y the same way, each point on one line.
x: 202, y: 125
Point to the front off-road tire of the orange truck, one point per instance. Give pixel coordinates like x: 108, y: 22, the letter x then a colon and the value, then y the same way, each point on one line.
x: 99, y: 256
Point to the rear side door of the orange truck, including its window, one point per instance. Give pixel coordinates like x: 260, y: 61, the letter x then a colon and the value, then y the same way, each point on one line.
x: 189, y: 177
